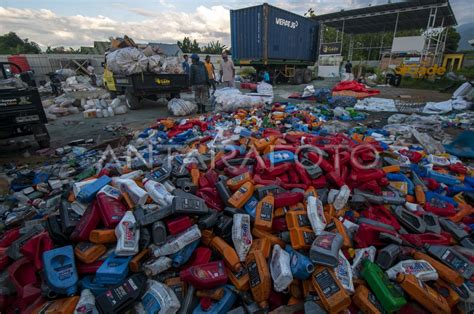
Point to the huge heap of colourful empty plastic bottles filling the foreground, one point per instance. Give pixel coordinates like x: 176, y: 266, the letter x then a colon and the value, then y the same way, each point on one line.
x: 258, y: 210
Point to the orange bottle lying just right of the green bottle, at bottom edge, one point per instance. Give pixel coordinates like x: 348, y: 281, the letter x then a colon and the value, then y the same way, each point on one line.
x: 423, y: 294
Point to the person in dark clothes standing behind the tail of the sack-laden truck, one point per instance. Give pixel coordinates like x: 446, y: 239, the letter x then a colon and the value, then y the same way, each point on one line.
x: 199, y: 80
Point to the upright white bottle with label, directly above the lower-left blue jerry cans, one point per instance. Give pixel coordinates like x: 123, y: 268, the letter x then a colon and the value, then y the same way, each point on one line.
x: 128, y: 235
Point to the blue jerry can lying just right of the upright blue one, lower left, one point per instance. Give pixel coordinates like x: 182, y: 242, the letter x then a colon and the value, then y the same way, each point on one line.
x: 113, y: 270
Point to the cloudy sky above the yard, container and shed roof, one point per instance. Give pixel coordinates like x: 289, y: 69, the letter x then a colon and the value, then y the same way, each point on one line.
x: 80, y: 22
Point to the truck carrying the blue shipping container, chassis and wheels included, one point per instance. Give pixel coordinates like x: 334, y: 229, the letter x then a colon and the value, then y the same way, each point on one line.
x: 274, y: 40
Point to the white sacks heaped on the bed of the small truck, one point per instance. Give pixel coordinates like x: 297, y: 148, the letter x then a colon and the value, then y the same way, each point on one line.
x: 131, y: 60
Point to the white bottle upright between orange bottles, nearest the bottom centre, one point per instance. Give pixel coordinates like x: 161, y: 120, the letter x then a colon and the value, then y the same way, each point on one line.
x: 280, y: 268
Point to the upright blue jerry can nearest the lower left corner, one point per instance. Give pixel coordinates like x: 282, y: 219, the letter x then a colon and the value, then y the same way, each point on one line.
x: 60, y: 270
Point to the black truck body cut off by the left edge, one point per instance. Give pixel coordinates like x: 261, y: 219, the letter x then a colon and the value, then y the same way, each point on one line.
x: 21, y: 110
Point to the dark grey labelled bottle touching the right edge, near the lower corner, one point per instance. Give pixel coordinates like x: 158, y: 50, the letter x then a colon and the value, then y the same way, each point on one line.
x: 452, y: 258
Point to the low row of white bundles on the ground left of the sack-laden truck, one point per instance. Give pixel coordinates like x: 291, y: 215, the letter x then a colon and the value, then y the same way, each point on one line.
x: 103, y: 108
